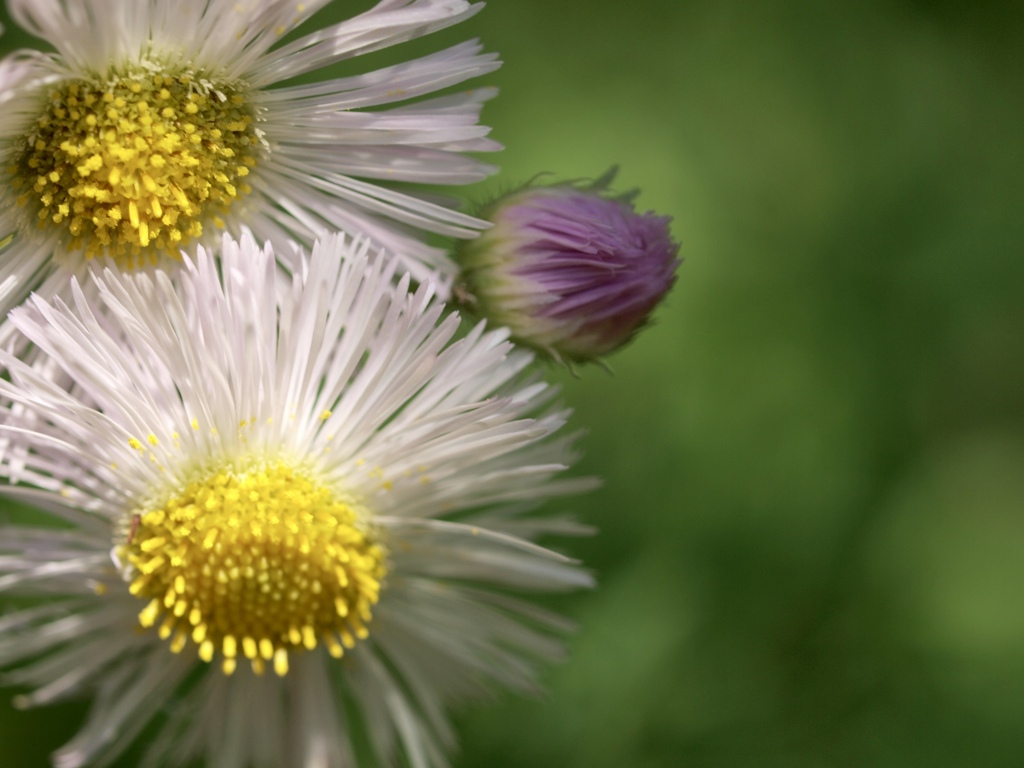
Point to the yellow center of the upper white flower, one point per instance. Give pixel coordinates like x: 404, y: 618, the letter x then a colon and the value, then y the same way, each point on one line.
x: 135, y: 165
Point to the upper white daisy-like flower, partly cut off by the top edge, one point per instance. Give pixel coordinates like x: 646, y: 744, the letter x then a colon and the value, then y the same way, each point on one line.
x: 160, y: 124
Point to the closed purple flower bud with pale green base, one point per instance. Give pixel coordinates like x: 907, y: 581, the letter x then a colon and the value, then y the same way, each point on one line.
x: 572, y: 271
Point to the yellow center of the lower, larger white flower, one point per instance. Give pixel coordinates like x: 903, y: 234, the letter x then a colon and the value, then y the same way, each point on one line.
x: 255, y: 563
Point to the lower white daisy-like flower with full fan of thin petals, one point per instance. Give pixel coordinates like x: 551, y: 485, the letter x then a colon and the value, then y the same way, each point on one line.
x: 280, y: 525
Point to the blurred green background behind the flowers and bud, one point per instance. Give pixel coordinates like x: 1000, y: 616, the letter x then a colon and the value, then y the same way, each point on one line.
x: 813, y: 522
